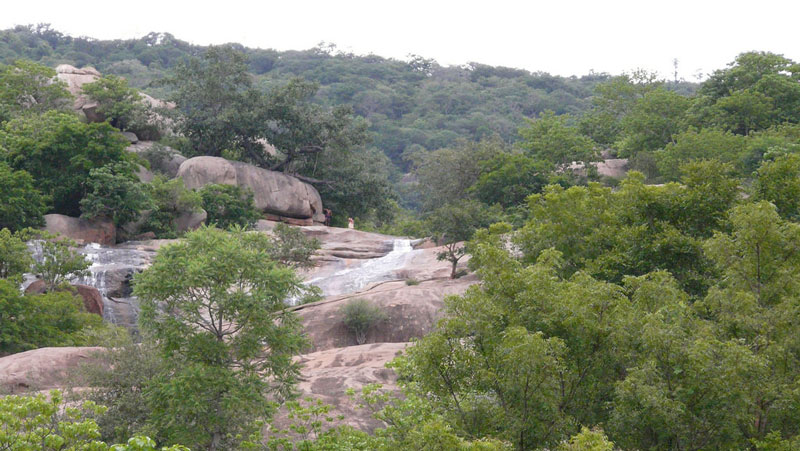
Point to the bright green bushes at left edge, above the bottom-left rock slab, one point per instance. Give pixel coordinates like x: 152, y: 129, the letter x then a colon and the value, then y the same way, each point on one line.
x: 56, y: 318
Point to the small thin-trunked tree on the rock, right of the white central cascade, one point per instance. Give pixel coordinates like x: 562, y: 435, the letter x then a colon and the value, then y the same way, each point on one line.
x: 455, y: 223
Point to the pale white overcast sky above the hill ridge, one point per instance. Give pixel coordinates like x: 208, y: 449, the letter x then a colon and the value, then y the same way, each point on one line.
x: 560, y: 37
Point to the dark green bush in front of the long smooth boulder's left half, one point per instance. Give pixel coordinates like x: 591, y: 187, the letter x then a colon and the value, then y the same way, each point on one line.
x: 229, y: 205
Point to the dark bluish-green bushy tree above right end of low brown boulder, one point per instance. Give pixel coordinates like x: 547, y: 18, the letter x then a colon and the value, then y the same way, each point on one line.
x: 114, y: 192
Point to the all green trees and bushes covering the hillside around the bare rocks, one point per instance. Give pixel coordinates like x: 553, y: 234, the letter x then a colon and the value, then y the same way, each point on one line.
x: 655, y: 310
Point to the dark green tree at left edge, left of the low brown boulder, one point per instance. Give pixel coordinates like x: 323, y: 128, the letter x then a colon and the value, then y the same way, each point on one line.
x: 23, y: 205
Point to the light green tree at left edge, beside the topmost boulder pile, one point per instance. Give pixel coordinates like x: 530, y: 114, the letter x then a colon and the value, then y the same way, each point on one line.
x: 30, y: 89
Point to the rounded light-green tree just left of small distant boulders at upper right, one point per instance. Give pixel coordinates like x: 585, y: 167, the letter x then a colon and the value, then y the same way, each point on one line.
x: 549, y: 138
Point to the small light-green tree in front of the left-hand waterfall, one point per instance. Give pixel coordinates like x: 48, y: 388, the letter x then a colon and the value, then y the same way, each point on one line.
x: 59, y: 262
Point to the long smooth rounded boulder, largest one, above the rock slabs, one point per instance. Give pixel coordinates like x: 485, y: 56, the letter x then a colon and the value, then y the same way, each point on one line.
x: 273, y: 192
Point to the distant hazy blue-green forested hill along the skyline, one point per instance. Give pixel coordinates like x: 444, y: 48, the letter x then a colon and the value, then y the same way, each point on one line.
x: 408, y: 103
